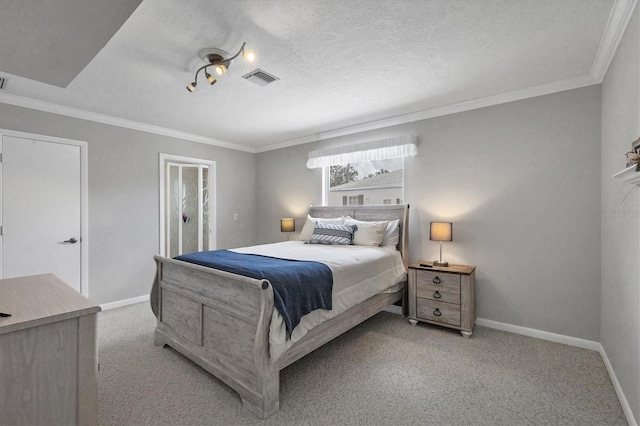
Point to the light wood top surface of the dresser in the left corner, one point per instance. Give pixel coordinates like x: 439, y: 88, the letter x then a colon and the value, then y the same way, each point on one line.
x: 39, y: 299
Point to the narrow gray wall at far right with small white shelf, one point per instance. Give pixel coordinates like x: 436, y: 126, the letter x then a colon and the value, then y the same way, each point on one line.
x: 620, y: 323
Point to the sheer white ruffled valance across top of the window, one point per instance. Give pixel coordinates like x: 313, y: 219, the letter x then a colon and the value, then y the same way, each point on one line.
x: 382, y: 149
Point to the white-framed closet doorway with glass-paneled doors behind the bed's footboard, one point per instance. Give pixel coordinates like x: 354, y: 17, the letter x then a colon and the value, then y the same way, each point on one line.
x: 187, y: 205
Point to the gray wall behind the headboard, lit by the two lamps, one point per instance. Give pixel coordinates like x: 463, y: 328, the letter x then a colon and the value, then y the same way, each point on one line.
x: 519, y: 181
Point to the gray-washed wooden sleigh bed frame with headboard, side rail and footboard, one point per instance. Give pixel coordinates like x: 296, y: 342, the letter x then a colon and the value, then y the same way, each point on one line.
x: 221, y: 320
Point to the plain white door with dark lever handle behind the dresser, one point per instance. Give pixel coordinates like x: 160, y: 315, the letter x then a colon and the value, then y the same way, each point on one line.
x: 41, y: 209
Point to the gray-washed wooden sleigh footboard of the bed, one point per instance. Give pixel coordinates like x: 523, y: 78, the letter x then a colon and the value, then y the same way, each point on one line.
x: 221, y: 322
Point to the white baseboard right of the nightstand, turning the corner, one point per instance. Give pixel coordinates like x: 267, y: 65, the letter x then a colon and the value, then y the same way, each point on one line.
x: 571, y: 341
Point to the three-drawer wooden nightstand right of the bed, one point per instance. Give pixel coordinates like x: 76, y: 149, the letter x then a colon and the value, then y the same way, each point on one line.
x: 443, y: 296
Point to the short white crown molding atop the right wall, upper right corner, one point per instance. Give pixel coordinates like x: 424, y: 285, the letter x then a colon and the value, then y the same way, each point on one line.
x: 616, y: 25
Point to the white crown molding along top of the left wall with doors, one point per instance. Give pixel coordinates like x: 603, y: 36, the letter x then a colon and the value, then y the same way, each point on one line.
x: 24, y: 102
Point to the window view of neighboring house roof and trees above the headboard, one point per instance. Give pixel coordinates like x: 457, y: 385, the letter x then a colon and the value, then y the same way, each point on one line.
x: 368, y: 182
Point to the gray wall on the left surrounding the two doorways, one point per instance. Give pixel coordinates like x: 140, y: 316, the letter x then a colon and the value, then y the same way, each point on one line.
x: 124, y: 196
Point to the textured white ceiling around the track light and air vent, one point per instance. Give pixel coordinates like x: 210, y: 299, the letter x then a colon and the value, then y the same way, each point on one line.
x: 344, y: 65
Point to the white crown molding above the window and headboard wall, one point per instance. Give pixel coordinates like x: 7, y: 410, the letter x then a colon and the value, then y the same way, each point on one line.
x: 516, y: 95
